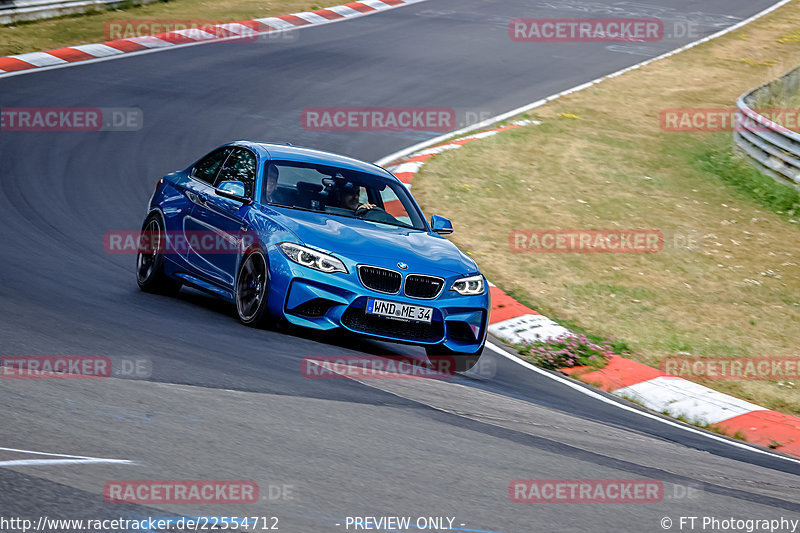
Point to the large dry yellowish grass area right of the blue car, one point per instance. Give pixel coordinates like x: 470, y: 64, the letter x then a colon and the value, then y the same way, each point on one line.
x: 600, y: 160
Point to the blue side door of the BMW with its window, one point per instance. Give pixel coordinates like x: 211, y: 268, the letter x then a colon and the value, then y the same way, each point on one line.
x: 220, y: 222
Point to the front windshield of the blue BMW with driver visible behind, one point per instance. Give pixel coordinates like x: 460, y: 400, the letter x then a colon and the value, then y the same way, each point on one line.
x: 339, y: 192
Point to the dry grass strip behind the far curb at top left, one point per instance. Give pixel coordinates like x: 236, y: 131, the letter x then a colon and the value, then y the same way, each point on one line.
x: 89, y: 27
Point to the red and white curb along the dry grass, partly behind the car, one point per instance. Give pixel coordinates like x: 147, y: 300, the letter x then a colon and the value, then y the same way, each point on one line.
x: 516, y: 323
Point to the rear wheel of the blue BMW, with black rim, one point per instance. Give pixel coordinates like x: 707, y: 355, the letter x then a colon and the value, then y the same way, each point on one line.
x: 150, y: 274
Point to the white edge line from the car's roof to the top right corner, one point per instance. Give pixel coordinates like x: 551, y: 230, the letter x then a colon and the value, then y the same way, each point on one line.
x: 514, y: 112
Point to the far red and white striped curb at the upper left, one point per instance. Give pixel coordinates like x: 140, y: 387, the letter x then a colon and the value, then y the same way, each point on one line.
x: 247, y: 29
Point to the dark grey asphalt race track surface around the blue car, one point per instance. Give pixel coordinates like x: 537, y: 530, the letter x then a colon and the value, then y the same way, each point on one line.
x: 228, y: 402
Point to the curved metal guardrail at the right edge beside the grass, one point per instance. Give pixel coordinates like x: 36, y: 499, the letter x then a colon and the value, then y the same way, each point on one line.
x: 774, y: 149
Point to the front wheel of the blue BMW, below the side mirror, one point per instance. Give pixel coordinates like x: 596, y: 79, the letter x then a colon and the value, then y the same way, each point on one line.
x: 252, y: 289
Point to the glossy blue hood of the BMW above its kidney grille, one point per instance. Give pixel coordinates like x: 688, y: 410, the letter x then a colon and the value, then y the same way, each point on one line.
x: 377, y: 244
